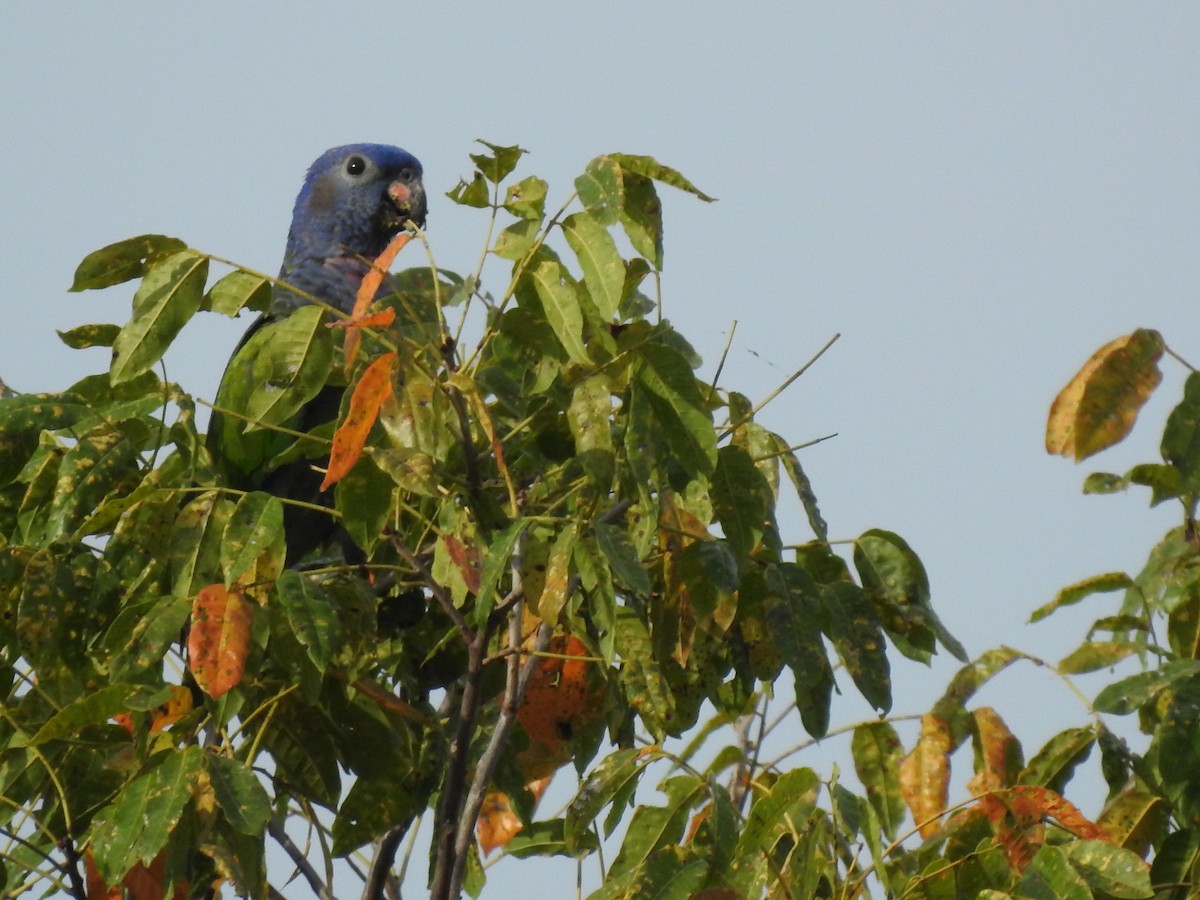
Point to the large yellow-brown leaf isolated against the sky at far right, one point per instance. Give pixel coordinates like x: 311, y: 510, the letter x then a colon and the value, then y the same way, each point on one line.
x: 1100, y: 405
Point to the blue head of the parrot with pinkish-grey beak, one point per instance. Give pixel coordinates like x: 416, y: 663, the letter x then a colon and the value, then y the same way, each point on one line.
x: 355, y: 201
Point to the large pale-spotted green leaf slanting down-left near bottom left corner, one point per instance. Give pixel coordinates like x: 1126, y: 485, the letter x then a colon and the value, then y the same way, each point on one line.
x: 139, y: 824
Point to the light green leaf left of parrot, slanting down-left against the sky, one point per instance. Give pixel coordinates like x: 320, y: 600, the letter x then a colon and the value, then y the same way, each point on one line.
x: 169, y: 297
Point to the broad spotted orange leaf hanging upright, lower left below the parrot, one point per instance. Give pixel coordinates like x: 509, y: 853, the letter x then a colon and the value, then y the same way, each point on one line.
x: 219, y: 640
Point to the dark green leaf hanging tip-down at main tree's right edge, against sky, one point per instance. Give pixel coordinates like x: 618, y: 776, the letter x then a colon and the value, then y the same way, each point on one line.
x: 856, y: 633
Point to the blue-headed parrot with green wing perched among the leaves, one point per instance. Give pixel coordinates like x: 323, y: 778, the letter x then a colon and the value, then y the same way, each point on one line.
x: 355, y: 200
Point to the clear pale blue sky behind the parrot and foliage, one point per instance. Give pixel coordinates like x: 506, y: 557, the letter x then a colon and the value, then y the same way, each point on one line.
x: 976, y: 196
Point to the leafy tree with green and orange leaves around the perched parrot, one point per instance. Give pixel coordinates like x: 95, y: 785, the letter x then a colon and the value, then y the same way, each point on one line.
x: 572, y: 555
